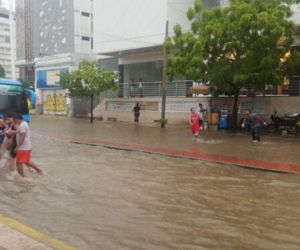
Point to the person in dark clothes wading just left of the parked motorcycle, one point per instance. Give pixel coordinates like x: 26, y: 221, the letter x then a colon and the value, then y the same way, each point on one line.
x: 253, y: 122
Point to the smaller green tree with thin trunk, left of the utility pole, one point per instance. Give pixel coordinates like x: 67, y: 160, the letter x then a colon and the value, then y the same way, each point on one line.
x: 88, y: 81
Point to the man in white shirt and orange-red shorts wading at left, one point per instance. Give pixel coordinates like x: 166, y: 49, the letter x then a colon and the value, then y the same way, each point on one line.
x: 23, y: 148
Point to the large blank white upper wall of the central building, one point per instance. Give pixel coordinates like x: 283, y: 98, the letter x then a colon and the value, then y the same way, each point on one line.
x: 127, y: 24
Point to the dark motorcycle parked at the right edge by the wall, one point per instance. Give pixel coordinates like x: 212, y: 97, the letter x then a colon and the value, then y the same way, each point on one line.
x: 289, y: 123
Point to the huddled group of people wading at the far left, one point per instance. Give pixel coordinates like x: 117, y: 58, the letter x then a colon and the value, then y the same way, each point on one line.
x: 15, y: 143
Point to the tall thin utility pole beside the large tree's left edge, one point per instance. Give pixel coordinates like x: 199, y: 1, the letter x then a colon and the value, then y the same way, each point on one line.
x: 164, y: 85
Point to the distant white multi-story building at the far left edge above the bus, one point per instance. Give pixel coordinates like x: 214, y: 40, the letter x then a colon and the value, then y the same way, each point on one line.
x: 8, y: 43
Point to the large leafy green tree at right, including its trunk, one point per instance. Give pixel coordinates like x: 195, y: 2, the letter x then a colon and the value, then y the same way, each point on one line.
x: 243, y: 44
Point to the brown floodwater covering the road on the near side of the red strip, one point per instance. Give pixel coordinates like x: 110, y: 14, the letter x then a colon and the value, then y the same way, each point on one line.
x: 99, y: 198
